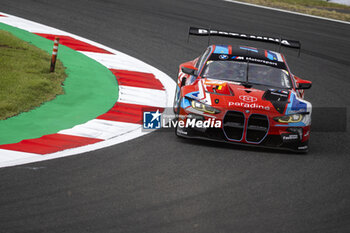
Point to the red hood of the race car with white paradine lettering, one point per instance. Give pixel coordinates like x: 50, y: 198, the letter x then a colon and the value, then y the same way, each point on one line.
x: 260, y: 99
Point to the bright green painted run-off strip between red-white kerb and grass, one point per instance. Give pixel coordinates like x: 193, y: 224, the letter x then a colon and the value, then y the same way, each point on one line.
x: 90, y: 90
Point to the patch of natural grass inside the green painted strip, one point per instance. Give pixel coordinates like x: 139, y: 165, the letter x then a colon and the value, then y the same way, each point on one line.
x: 25, y: 80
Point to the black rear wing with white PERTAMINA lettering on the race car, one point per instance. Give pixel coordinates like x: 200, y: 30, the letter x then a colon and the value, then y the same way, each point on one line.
x: 211, y: 32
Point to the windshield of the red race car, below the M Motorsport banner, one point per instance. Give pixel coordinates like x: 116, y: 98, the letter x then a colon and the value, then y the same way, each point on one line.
x: 237, y: 71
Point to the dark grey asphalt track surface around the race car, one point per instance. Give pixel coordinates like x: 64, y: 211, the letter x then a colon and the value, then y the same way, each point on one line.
x: 159, y: 183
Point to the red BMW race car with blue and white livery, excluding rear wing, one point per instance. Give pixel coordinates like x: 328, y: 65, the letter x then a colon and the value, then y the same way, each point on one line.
x: 248, y: 95
